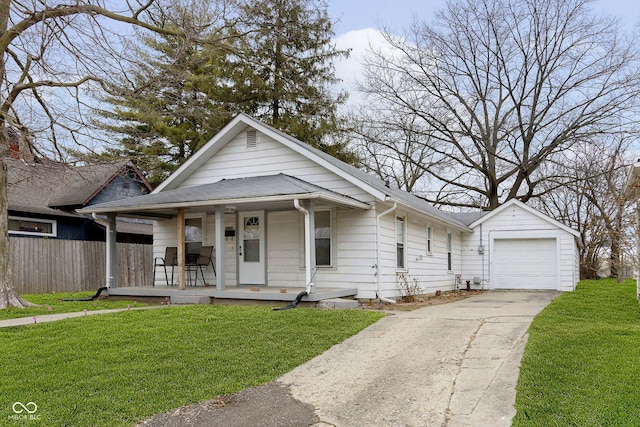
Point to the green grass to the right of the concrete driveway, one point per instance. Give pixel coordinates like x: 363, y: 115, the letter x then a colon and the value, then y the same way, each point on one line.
x: 581, y: 365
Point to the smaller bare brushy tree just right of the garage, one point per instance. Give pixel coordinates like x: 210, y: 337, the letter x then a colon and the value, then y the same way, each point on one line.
x: 593, y: 203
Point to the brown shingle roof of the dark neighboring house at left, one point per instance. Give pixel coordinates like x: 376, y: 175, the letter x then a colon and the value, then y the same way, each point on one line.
x: 52, y: 188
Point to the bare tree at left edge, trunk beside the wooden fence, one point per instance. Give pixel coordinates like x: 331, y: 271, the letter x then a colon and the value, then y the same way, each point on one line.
x: 50, y: 51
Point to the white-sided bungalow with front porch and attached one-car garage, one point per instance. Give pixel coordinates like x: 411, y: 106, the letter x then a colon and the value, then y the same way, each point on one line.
x: 284, y: 217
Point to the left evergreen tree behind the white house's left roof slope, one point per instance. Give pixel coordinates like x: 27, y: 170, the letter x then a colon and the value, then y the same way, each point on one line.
x: 167, y: 107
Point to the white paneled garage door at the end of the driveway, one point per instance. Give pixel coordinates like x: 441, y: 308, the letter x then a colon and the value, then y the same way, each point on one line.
x: 524, y: 264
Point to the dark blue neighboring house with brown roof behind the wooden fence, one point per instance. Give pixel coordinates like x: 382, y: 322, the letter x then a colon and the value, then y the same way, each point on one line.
x: 45, y: 195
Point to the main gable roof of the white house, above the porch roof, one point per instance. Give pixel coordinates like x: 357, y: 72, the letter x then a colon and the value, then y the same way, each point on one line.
x: 368, y: 183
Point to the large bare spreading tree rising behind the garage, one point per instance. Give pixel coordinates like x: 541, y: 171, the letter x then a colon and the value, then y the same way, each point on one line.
x: 503, y: 87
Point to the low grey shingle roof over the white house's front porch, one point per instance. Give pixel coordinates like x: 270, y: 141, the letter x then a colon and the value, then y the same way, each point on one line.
x: 226, y: 189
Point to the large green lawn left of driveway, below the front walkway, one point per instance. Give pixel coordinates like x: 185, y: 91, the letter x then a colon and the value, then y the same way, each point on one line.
x: 118, y: 369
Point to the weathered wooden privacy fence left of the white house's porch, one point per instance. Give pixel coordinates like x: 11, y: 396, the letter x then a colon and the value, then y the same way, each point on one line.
x: 49, y: 265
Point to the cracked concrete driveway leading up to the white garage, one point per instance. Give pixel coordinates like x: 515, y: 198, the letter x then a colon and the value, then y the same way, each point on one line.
x: 448, y: 365
